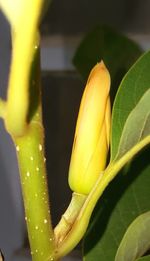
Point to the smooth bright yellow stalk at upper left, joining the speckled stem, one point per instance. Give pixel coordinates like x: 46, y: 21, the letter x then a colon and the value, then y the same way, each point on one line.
x: 24, y: 19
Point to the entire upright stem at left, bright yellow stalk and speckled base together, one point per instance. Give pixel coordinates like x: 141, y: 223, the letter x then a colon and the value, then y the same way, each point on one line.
x: 23, y: 121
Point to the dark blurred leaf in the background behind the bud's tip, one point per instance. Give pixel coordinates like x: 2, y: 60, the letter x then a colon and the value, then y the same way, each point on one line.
x: 104, y: 43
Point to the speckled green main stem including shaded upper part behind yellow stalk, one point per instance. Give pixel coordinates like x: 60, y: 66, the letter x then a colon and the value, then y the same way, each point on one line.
x: 31, y: 161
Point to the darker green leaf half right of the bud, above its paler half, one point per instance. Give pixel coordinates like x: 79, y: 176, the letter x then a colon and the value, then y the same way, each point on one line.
x: 133, y: 86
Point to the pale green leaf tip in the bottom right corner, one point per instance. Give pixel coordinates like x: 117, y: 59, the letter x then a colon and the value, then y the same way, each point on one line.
x: 136, y: 241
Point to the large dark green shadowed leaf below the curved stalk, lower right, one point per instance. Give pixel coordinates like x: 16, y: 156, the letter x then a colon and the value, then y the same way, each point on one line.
x: 125, y: 198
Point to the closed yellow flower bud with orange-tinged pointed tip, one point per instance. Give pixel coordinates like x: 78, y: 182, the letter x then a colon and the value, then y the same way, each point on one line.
x: 91, y: 141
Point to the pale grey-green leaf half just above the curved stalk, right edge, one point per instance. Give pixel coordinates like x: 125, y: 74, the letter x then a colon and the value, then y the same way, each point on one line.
x: 137, y: 126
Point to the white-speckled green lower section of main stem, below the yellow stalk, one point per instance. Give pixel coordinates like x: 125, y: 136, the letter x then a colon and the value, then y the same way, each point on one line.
x: 31, y: 161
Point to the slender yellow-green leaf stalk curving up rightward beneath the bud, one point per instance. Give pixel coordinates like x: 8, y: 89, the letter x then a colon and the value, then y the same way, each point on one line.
x: 81, y: 223
